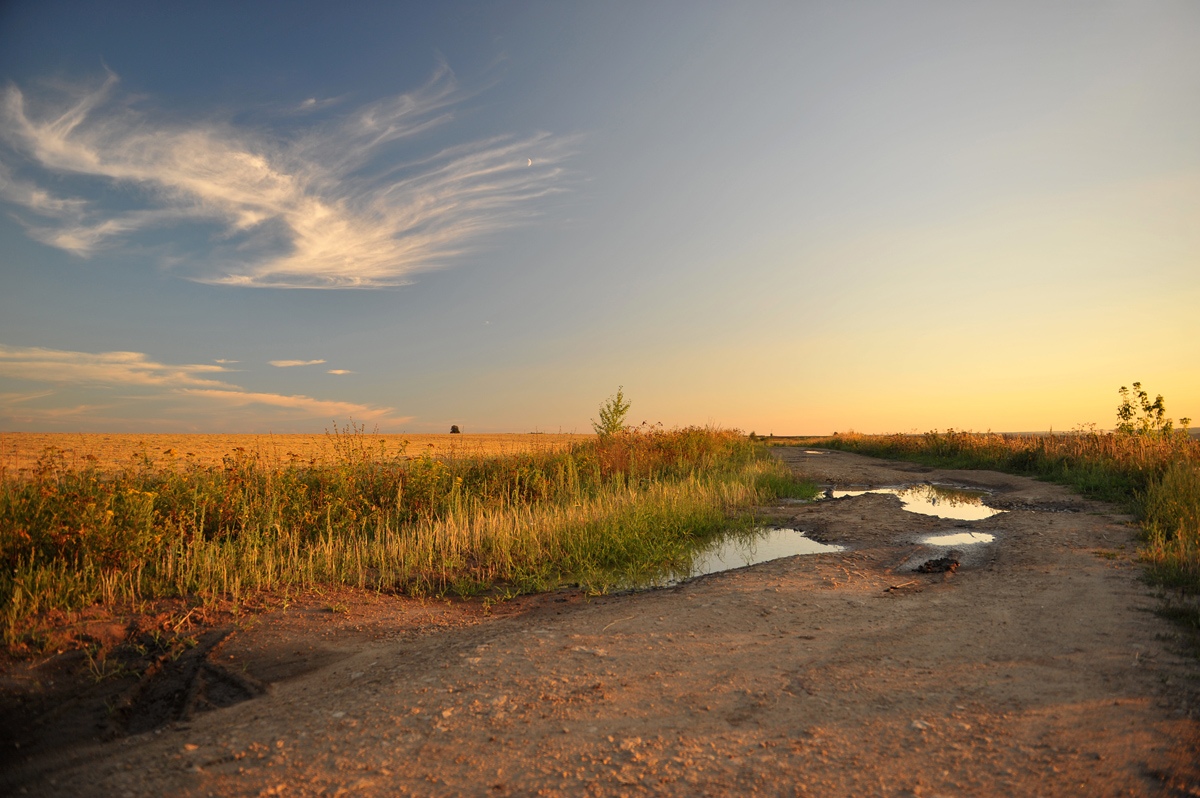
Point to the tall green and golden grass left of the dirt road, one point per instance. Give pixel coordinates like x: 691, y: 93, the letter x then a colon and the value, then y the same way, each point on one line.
x: 607, y: 513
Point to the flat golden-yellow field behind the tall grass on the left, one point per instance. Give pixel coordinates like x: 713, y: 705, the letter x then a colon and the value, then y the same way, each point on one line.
x: 20, y: 452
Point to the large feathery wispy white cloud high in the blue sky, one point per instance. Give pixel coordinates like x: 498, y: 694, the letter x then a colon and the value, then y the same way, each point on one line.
x: 329, y: 207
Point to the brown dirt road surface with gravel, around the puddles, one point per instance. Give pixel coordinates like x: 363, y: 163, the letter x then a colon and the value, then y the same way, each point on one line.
x: 1036, y: 669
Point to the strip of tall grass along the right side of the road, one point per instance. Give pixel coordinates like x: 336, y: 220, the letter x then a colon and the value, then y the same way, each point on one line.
x: 1156, y: 477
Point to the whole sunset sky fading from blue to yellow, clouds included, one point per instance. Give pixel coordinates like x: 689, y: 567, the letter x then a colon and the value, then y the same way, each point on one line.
x: 793, y: 219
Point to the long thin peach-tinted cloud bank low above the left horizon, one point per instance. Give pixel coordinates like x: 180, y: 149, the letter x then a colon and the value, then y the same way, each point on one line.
x: 128, y: 381
